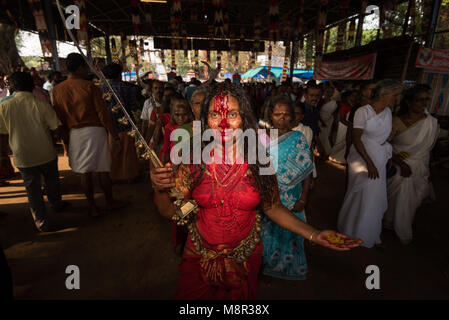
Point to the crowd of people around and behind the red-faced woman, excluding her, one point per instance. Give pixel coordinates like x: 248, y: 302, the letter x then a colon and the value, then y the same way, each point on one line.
x: 381, y: 131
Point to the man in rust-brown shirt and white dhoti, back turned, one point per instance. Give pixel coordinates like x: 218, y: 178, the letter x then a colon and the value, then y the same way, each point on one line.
x: 81, y: 108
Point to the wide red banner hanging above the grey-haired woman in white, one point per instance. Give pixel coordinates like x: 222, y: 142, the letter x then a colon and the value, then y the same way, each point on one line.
x: 357, y: 68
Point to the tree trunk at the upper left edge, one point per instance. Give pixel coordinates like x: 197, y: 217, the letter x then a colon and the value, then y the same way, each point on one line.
x: 9, y: 56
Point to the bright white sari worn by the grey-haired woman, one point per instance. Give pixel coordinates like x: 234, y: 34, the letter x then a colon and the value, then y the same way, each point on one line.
x: 366, y: 199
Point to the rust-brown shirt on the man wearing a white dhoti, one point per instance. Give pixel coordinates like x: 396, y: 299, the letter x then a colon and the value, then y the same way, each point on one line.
x: 79, y: 103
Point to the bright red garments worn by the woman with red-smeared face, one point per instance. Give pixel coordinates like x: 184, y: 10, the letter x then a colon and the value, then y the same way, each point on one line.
x: 227, y: 216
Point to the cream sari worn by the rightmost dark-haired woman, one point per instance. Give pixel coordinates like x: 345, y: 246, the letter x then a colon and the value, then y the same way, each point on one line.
x: 406, y: 194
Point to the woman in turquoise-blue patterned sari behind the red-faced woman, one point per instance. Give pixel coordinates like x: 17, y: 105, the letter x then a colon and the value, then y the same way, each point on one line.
x: 283, y: 255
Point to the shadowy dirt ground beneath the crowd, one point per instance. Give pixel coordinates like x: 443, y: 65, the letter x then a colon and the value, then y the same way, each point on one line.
x: 129, y: 254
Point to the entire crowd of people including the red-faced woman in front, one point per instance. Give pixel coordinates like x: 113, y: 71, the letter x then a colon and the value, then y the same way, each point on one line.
x: 247, y: 222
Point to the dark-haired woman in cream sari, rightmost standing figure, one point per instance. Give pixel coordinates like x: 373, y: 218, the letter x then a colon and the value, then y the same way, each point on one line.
x: 413, y: 136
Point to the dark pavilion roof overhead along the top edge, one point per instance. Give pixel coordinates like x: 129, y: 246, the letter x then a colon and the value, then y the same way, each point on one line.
x: 114, y: 16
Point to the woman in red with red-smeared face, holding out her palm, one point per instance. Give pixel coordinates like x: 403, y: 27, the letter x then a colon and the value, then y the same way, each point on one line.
x: 223, y: 254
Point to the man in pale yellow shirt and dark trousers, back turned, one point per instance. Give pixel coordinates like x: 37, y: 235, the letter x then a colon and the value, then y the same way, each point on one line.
x: 28, y: 121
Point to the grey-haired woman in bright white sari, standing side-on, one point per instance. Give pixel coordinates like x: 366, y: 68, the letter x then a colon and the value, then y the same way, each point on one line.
x: 365, y: 201
